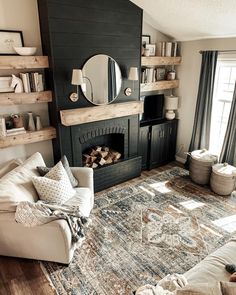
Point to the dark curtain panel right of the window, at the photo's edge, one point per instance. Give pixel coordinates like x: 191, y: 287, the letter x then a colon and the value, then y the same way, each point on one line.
x: 228, y: 152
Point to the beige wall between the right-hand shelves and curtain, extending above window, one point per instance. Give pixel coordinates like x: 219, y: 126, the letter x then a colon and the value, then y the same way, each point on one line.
x: 188, y: 73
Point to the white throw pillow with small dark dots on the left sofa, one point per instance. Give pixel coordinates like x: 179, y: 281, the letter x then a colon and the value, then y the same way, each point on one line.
x: 55, y: 187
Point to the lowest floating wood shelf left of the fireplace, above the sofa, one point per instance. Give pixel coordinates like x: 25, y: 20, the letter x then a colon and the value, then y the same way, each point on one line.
x: 29, y: 137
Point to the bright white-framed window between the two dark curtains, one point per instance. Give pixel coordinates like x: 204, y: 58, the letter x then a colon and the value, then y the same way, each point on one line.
x: 222, y: 99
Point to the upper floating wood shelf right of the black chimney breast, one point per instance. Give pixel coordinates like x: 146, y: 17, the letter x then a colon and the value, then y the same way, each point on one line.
x: 160, y: 60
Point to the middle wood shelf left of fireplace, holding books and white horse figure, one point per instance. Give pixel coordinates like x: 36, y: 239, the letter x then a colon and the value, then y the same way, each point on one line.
x: 12, y: 98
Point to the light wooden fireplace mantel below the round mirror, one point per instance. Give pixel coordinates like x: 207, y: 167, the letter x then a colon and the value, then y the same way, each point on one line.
x: 99, y: 113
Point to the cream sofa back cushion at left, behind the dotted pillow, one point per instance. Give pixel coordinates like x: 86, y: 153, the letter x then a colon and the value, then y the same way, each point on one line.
x: 17, y: 186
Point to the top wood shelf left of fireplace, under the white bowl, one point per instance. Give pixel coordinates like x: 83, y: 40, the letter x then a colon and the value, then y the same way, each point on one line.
x: 23, y: 62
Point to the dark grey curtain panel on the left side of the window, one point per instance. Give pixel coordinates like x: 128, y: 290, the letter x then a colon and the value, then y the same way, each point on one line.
x: 202, y: 120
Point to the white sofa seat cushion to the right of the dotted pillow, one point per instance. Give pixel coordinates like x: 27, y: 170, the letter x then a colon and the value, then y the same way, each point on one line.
x: 82, y: 198
